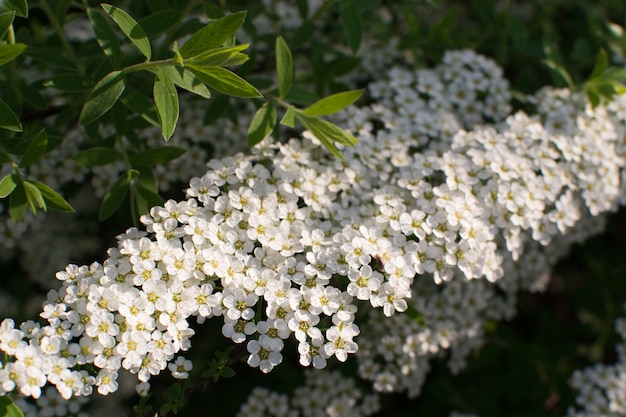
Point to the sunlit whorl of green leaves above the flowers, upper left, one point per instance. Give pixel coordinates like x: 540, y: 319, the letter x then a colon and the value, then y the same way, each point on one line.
x: 198, y: 64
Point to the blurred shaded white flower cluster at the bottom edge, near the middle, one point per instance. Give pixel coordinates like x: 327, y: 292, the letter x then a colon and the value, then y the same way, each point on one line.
x: 324, y: 394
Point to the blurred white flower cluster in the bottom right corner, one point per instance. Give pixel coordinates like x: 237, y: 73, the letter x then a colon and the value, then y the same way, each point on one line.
x: 602, y: 388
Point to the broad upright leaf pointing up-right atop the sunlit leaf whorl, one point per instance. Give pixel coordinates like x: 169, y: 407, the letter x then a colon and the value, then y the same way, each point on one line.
x: 213, y: 35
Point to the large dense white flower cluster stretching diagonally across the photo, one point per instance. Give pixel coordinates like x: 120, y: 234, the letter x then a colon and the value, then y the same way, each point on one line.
x: 289, y: 242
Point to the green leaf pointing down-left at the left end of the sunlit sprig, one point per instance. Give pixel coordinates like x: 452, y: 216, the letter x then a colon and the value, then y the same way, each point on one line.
x: 103, y: 97
